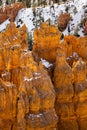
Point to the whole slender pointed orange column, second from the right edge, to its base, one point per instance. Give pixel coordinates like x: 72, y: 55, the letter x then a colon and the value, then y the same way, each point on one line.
x: 64, y: 93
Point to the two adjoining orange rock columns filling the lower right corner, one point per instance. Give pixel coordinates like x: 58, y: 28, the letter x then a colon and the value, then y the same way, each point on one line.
x: 70, y: 86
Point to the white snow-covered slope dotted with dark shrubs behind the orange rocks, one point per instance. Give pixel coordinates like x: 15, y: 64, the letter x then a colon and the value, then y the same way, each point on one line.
x: 76, y: 11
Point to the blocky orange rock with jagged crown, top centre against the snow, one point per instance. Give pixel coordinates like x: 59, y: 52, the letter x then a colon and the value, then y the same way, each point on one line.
x: 46, y: 41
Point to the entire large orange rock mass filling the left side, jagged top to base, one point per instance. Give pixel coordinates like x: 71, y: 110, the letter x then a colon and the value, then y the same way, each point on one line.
x: 27, y: 94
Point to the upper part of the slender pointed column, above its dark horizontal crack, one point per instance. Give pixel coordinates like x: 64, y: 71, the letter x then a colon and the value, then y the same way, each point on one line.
x: 63, y: 78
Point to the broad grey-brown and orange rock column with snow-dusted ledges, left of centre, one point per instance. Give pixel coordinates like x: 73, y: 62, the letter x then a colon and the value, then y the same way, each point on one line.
x: 37, y: 84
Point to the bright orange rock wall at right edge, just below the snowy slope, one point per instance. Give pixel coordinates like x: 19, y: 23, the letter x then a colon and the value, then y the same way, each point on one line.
x: 77, y: 45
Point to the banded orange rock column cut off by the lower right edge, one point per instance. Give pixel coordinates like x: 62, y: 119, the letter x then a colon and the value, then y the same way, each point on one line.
x: 80, y: 93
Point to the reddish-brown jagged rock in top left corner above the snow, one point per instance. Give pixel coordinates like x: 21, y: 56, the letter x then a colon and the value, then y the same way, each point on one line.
x: 10, y: 12
